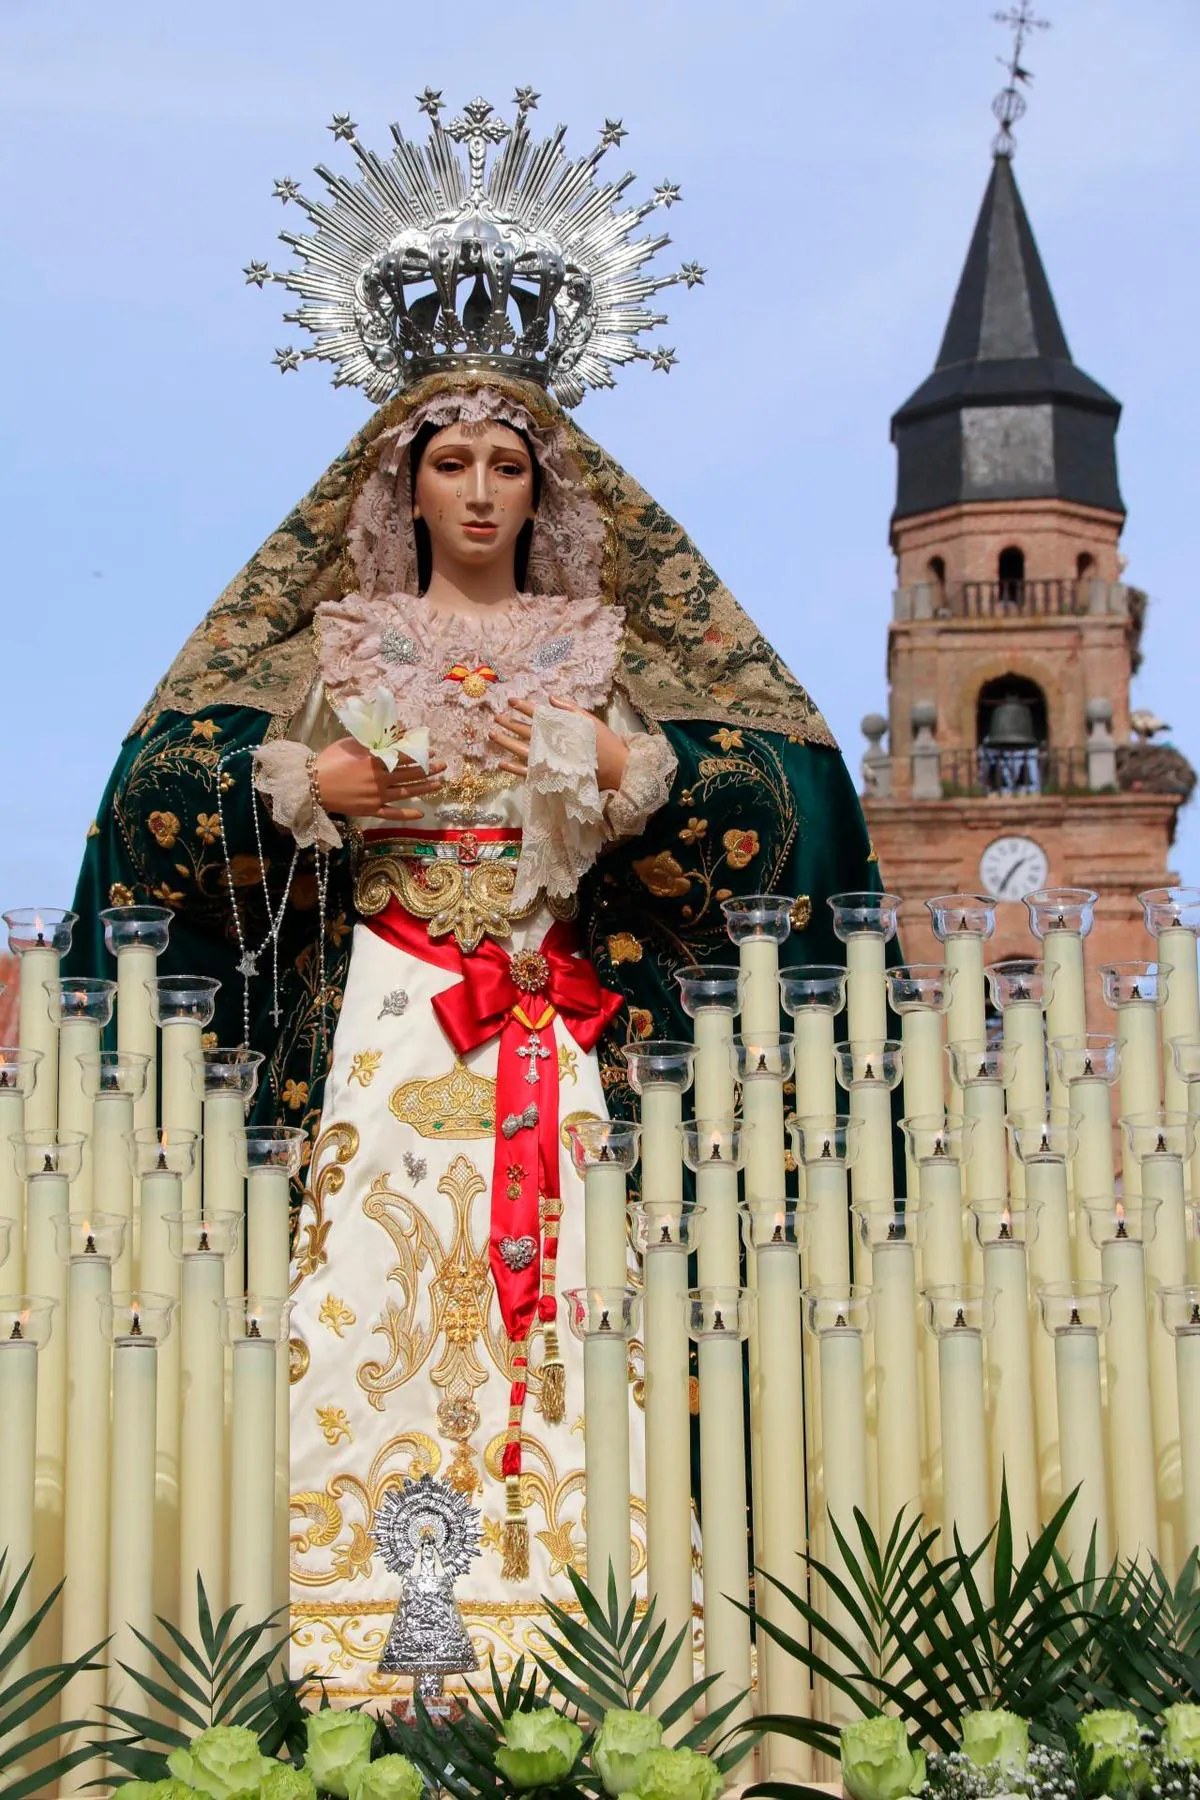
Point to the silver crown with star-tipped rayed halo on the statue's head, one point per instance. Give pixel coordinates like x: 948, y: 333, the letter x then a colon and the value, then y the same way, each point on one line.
x: 431, y: 262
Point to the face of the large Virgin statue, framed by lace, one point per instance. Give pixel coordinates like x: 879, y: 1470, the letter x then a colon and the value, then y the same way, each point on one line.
x: 474, y: 494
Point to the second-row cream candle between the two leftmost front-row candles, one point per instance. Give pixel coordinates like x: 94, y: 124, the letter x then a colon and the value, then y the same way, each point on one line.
x: 85, y: 1516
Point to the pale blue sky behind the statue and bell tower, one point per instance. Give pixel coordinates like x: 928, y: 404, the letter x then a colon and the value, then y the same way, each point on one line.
x: 832, y: 161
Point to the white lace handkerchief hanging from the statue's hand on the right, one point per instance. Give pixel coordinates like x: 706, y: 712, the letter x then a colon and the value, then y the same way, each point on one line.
x: 564, y: 814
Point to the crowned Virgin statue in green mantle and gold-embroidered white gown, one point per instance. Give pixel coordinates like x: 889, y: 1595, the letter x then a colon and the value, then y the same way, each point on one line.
x: 447, y: 787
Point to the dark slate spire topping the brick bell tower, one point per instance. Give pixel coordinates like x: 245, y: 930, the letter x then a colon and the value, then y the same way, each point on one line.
x: 1005, y: 415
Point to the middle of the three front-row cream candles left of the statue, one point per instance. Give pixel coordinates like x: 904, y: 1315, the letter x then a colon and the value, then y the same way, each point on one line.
x: 132, y: 1516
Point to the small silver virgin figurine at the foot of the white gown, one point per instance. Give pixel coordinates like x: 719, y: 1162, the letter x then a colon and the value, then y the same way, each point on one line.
x: 429, y: 1534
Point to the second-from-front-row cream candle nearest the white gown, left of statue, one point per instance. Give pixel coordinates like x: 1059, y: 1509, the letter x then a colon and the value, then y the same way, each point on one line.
x: 202, y: 1437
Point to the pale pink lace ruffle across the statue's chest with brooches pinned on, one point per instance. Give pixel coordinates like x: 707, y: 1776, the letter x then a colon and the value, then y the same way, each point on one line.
x: 456, y: 674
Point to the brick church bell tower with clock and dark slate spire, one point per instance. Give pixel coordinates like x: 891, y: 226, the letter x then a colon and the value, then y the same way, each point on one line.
x: 1012, y: 757
